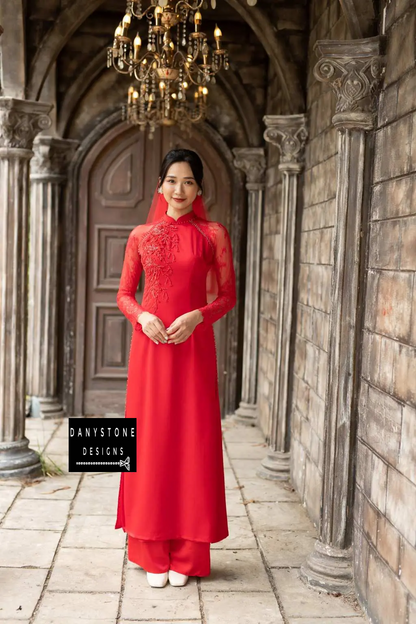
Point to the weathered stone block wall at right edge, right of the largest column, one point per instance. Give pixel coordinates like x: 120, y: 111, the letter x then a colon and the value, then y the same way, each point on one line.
x: 385, y: 526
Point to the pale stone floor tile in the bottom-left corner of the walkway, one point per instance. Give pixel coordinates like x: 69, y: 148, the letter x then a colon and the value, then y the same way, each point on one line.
x: 20, y: 591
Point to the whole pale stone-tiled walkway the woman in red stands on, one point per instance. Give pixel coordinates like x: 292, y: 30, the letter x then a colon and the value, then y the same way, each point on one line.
x: 62, y: 562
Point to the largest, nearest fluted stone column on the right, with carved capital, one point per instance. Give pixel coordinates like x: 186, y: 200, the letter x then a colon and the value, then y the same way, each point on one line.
x: 353, y: 70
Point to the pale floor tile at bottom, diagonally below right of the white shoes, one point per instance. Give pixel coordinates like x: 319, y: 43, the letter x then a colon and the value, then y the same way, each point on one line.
x: 241, y: 608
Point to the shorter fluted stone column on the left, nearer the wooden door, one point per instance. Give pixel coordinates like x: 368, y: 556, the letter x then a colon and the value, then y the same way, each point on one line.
x: 48, y: 172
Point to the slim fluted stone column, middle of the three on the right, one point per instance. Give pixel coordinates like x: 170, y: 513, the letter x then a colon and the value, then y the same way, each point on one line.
x: 288, y: 133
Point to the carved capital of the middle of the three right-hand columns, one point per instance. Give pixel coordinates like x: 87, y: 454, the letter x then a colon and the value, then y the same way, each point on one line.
x: 289, y: 134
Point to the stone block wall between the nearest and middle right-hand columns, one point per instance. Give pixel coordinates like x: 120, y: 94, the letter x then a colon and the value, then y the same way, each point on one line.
x: 315, y: 268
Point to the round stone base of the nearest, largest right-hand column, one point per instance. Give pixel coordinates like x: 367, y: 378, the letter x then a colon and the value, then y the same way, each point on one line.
x: 328, y: 569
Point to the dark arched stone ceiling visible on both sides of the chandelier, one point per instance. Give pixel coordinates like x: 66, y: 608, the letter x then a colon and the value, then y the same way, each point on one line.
x: 278, y: 39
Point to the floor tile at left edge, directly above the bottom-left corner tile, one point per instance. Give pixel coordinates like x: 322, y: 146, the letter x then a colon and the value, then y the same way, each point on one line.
x: 19, y: 548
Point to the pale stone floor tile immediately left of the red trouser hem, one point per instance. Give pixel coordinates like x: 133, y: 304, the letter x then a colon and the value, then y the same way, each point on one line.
x: 92, y: 569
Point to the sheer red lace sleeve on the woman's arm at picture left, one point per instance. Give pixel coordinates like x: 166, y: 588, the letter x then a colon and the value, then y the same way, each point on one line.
x: 130, y: 276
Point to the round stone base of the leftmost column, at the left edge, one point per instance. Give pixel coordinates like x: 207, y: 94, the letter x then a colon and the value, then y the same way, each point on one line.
x: 17, y: 460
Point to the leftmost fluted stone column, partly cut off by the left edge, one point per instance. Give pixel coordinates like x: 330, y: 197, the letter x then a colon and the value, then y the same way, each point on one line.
x: 20, y: 122
